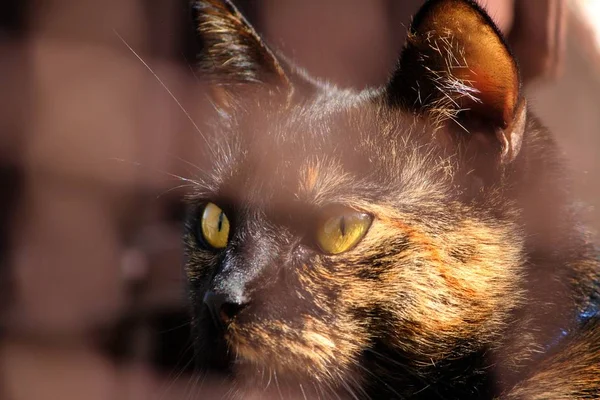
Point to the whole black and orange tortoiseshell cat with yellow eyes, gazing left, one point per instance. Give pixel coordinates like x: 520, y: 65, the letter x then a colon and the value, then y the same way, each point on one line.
x: 417, y: 240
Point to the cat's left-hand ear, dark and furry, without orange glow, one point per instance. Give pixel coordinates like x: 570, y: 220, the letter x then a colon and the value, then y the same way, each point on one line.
x: 233, y: 54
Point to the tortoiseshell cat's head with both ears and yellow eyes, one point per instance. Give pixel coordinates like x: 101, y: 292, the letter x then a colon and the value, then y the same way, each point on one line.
x: 334, y: 225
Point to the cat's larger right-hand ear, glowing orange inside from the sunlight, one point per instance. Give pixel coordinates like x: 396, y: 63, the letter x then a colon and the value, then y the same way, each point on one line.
x: 456, y: 67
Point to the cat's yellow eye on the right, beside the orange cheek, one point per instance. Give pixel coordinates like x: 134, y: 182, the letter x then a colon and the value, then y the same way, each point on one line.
x: 341, y: 229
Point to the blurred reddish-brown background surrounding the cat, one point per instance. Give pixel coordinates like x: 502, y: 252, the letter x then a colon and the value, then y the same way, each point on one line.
x: 92, y: 302
